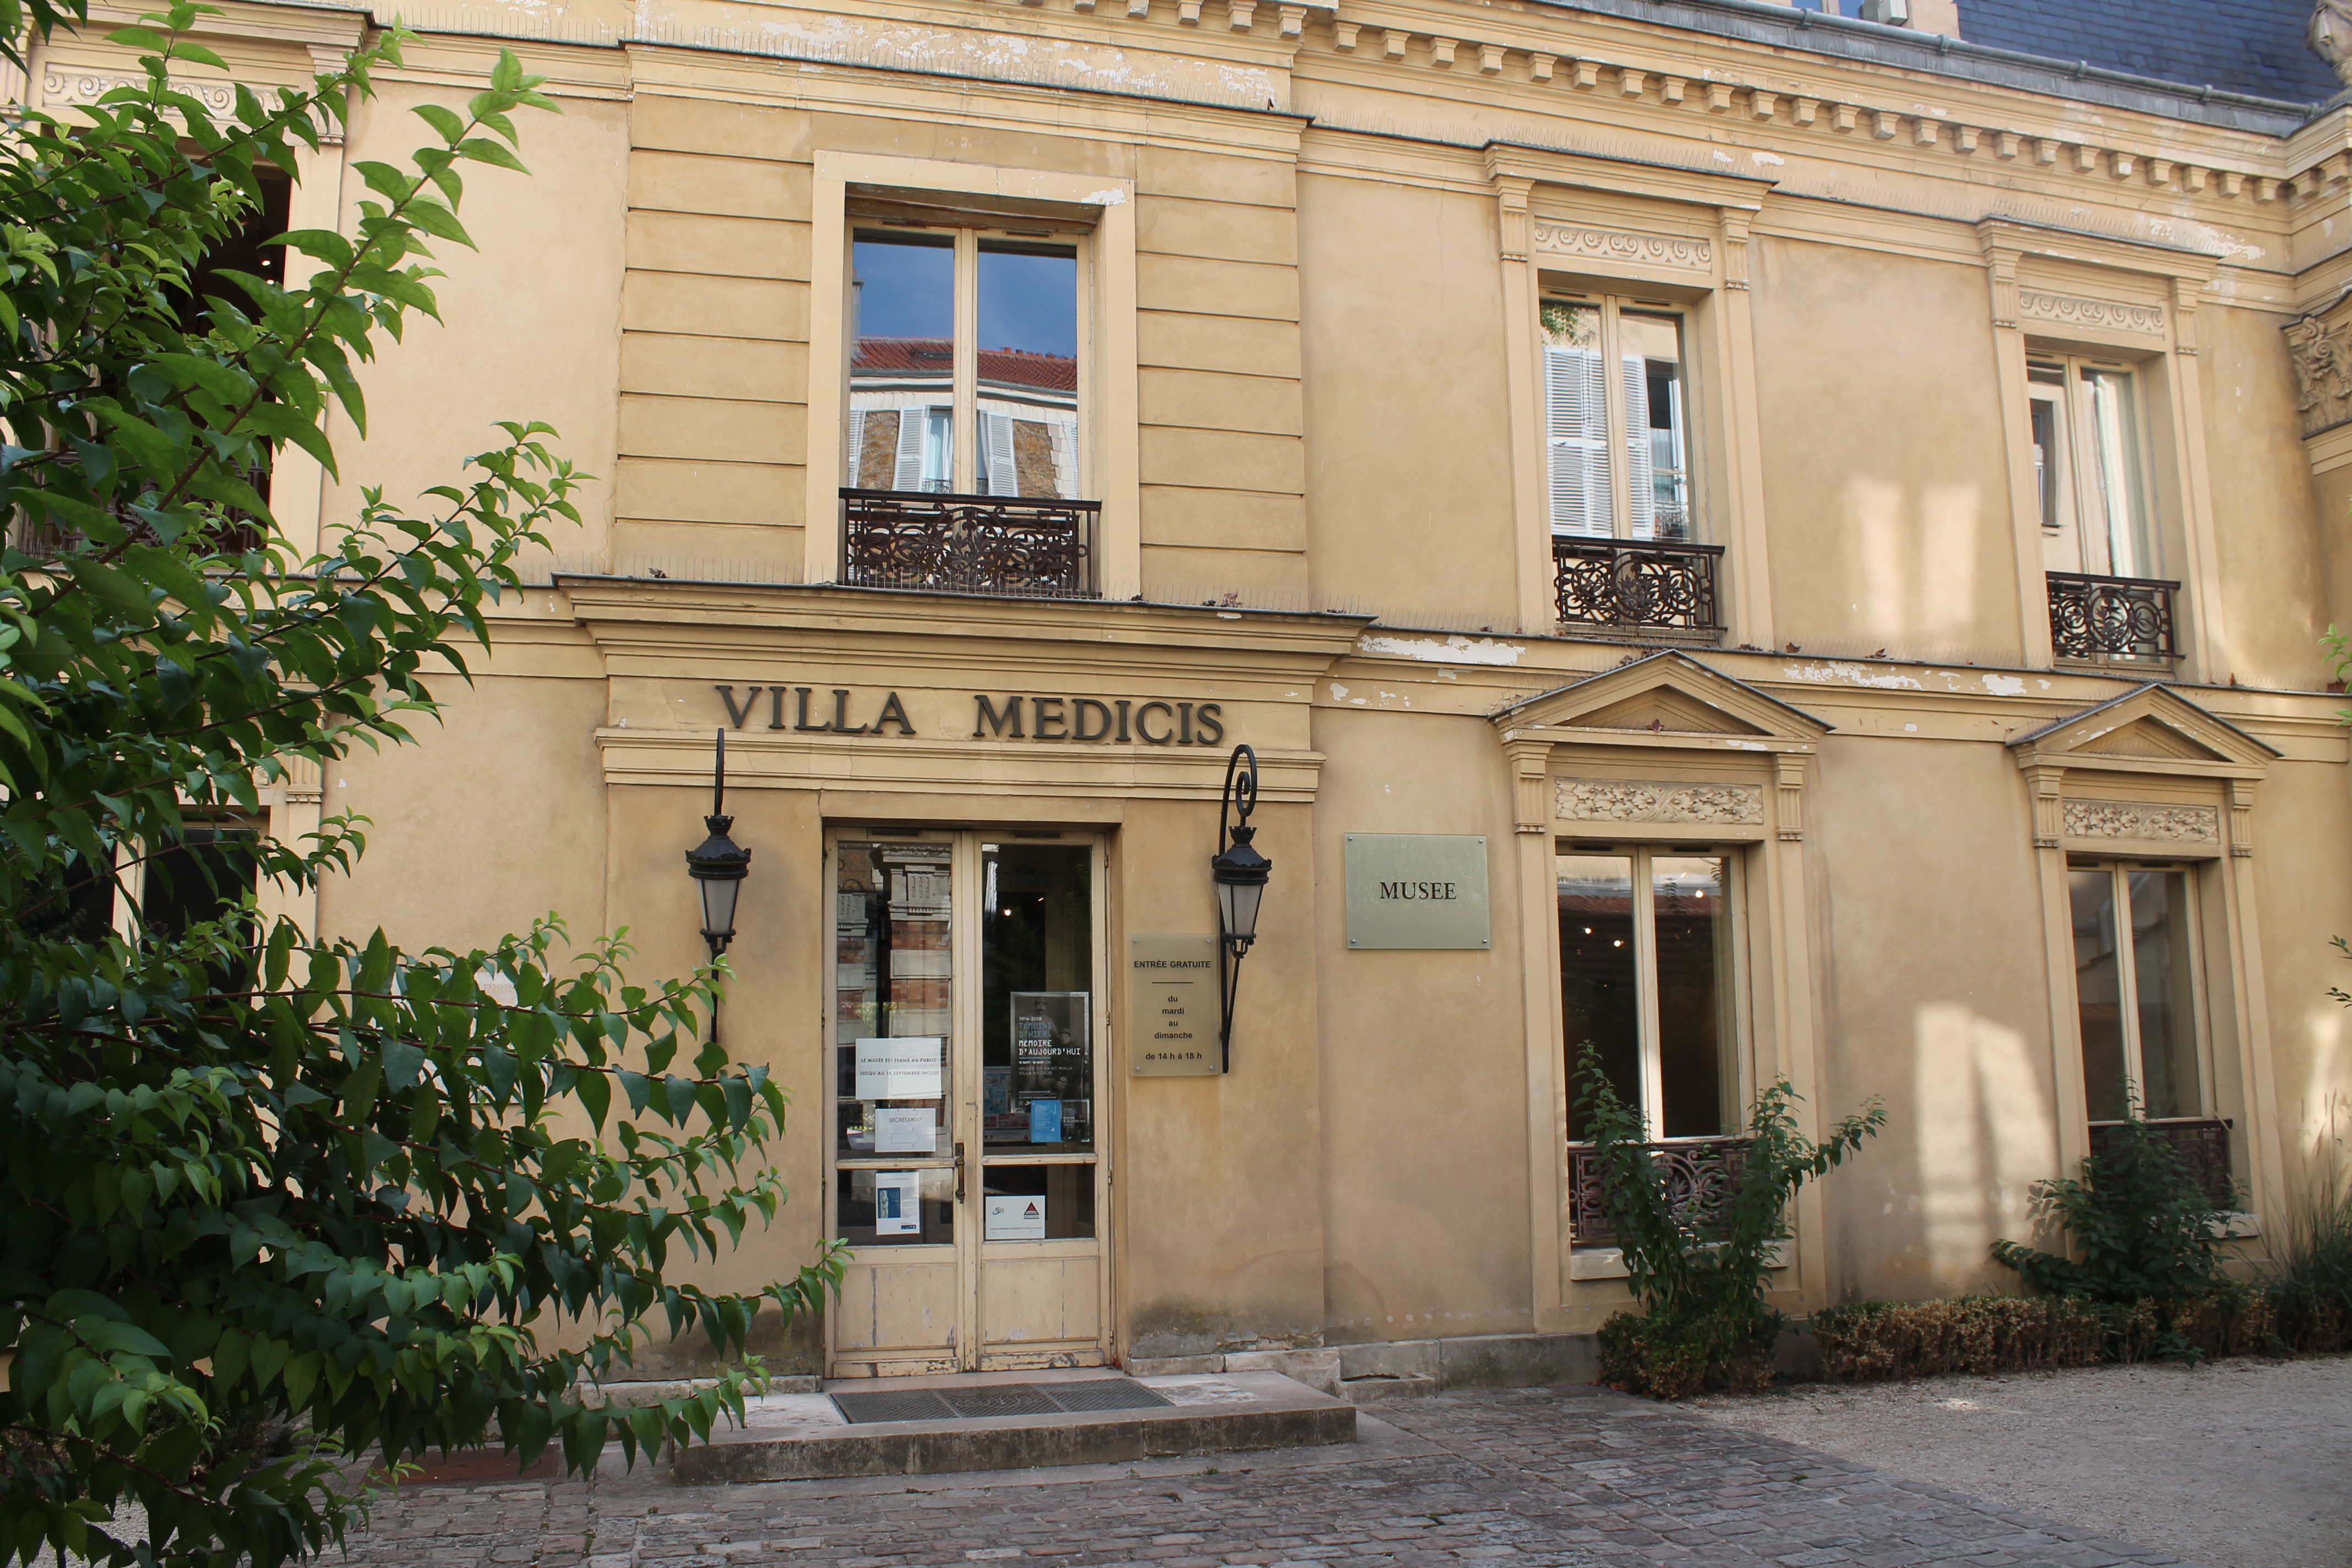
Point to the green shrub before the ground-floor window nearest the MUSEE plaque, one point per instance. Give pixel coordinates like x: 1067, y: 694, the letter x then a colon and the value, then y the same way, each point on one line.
x: 1702, y: 1278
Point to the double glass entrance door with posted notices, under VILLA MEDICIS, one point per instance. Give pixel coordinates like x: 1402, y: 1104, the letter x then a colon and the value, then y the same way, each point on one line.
x: 968, y: 1146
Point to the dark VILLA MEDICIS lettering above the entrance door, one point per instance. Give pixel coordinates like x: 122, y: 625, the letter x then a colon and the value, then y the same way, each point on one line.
x: 1010, y: 718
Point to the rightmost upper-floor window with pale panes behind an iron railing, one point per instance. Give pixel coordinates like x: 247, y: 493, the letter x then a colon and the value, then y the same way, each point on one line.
x: 2092, y: 469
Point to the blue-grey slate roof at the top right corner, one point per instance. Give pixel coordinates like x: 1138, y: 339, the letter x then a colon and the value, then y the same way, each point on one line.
x: 2236, y: 46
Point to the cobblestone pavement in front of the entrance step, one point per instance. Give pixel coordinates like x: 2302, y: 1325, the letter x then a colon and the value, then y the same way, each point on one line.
x: 1525, y: 1477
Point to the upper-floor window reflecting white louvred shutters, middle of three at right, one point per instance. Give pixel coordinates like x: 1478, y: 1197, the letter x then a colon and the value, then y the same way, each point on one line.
x: 1619, y: 441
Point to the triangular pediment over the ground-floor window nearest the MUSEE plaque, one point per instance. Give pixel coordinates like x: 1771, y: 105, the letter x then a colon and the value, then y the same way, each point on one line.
x: 1669, y: 697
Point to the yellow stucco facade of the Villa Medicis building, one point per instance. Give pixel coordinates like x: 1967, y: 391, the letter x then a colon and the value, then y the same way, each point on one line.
x: 1800, y: 544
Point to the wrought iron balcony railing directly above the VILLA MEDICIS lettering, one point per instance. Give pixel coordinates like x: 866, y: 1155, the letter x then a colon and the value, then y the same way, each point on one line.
x: 970, y: 544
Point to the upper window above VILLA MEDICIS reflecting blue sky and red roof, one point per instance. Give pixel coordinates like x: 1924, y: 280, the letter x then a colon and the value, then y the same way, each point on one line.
x: 963, y: 375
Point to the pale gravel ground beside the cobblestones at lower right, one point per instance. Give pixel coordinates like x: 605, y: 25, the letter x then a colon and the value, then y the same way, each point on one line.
x: 2238, y: 1466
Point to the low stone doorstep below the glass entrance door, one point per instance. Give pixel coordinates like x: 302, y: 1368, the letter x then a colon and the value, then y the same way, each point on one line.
x: 803, y: 1438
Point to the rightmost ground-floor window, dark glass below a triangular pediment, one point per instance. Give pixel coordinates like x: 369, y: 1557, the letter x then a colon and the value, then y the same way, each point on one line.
x: 2137, y: 989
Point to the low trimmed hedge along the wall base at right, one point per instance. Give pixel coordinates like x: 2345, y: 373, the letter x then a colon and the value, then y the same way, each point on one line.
x: 2022, y: 1334
